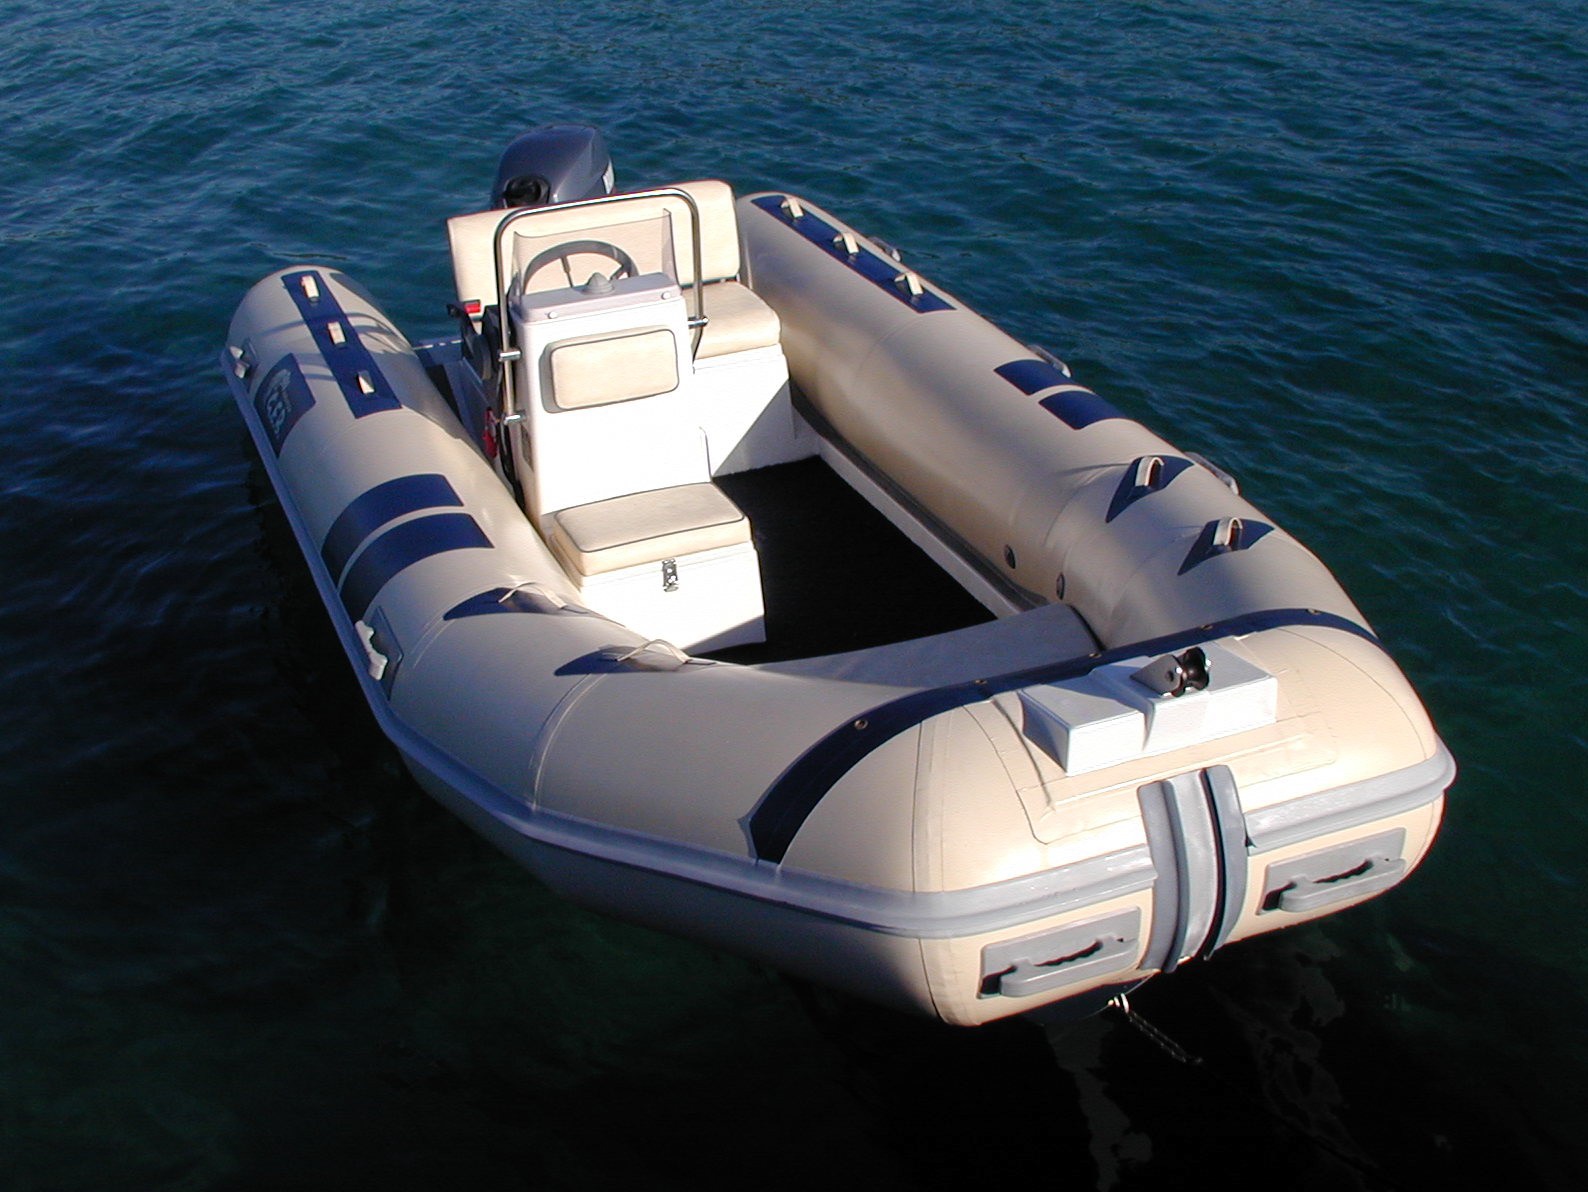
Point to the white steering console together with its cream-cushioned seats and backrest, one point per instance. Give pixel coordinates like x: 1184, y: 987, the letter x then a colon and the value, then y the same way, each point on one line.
x: 631, y: 367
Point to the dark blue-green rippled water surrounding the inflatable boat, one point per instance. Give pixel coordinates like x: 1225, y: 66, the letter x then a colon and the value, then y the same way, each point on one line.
x: 1341, y: 248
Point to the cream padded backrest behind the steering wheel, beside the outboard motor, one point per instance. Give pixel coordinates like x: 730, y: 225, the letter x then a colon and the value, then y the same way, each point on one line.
x: 630, y: 226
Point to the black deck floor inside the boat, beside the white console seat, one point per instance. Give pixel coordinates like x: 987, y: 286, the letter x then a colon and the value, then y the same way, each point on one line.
x: 836, y: 574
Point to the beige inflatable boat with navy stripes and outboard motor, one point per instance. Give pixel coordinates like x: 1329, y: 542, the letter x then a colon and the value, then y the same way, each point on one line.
x: 1170, y: 731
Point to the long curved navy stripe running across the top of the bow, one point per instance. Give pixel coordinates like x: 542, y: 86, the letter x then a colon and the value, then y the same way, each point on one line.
x: 790, y: 801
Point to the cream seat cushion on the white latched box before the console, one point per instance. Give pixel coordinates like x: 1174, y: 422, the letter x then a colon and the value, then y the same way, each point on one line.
x: 644, y: 528
